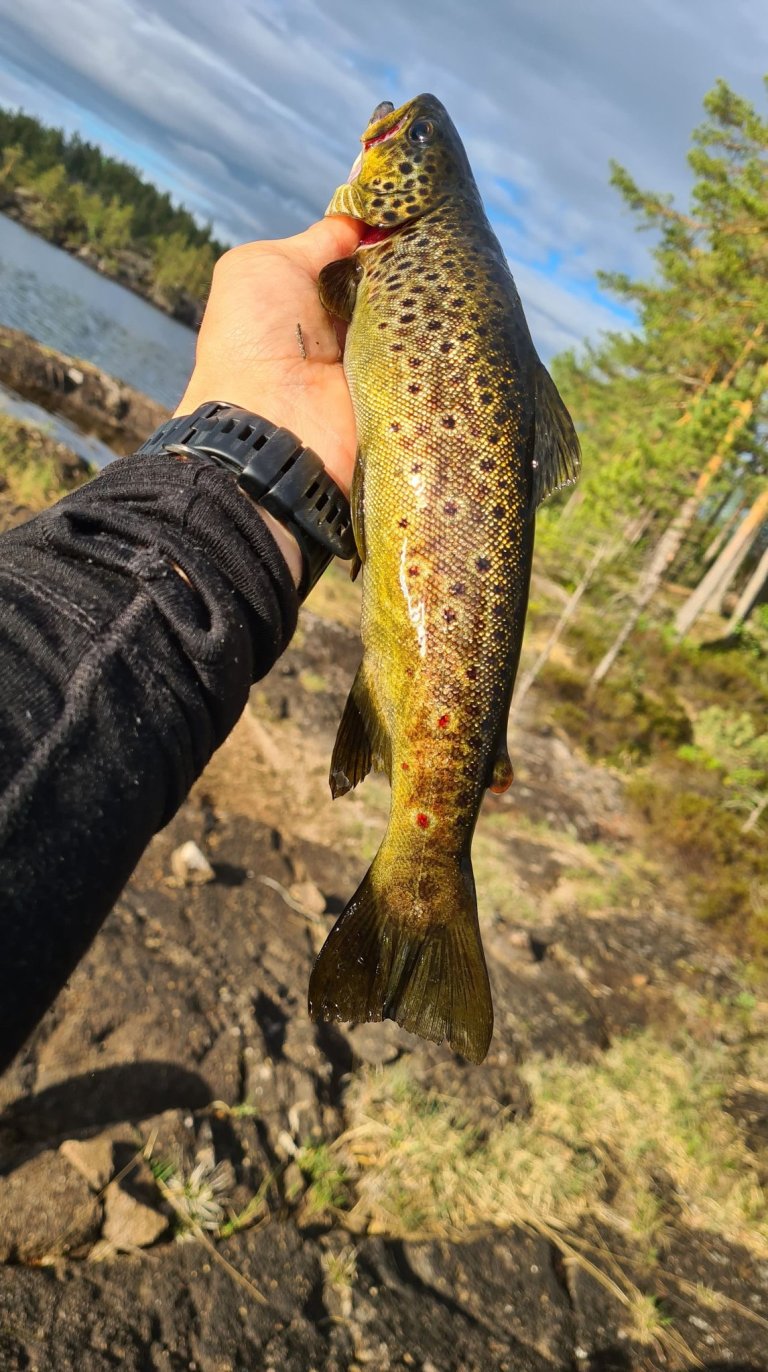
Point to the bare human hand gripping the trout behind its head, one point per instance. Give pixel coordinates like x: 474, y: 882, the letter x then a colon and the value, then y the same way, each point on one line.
x: 250, y: 351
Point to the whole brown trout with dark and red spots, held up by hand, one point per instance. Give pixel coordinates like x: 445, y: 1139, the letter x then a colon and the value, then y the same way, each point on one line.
x: 461, y: 433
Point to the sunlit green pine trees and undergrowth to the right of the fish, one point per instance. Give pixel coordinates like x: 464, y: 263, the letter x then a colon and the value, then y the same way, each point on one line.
x: 658, y: 659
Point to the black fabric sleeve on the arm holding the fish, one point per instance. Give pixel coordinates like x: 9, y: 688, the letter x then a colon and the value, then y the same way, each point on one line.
x: 117, y: 684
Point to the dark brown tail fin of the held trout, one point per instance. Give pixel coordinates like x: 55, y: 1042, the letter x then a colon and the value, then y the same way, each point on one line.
x: 382, y: 961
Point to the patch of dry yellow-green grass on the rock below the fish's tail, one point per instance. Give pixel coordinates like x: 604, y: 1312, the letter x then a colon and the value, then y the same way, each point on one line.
x: 636, y: 1138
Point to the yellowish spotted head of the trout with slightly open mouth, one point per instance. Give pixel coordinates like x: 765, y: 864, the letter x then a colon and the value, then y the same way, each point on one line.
x: 412, y: 161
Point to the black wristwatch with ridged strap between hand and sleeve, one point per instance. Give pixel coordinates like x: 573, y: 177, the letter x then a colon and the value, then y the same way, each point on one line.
x: 278, y: 473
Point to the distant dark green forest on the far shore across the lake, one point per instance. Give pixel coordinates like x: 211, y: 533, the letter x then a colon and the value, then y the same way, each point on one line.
x: 102, y: 209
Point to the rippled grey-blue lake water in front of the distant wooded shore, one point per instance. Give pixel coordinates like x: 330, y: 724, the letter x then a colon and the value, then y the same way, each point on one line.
x: 64, y: 304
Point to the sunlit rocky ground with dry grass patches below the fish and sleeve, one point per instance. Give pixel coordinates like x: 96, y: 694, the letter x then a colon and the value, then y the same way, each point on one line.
x: 194, y: 1176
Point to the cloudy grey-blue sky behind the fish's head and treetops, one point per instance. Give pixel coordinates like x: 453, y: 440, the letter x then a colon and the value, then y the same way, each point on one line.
x: 250, y: 112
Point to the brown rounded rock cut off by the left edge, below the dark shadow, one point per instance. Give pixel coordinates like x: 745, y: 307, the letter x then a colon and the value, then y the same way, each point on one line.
x: 47, y: 1211
